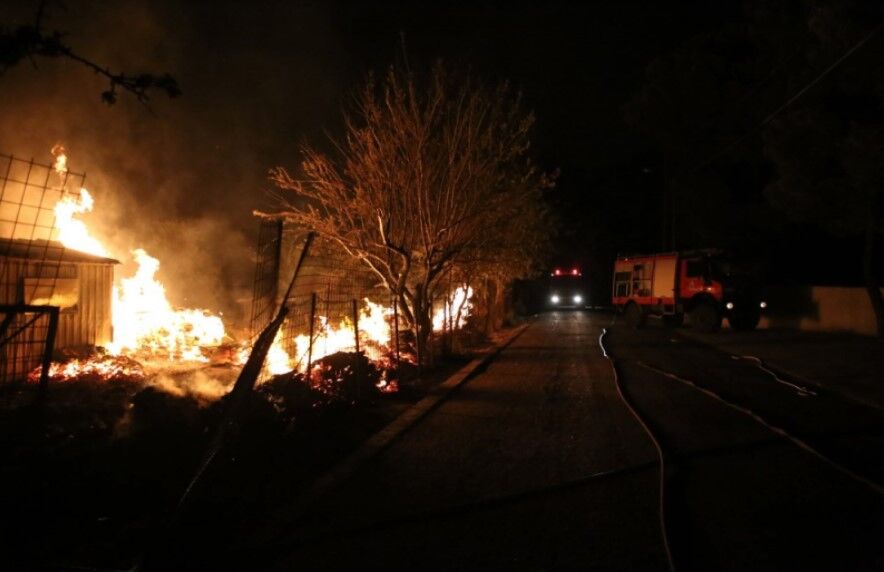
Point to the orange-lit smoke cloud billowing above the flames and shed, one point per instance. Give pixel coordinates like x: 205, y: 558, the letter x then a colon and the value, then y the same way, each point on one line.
x: 182, y: 177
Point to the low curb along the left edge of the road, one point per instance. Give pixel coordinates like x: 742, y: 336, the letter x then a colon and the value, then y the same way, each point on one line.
x: 379, y: 441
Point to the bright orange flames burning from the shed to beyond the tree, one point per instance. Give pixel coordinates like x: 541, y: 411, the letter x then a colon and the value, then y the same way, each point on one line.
x: 147, y: 326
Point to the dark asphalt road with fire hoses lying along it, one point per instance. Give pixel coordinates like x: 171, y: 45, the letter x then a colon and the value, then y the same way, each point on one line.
x: 538, y: 464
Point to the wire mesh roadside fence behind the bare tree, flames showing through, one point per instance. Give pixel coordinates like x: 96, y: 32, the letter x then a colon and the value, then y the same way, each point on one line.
x: 338, y: 304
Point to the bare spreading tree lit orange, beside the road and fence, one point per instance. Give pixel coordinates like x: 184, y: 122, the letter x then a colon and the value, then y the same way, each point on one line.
x: 431, y: 176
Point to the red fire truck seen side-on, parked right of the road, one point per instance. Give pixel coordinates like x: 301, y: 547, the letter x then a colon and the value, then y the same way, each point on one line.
x: 706, y: 285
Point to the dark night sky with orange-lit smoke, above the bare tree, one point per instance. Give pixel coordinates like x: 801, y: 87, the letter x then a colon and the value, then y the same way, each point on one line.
x: 261, y: 78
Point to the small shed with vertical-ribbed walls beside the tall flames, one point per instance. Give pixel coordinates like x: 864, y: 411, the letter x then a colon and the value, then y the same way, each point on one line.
x: 36, y: 275
